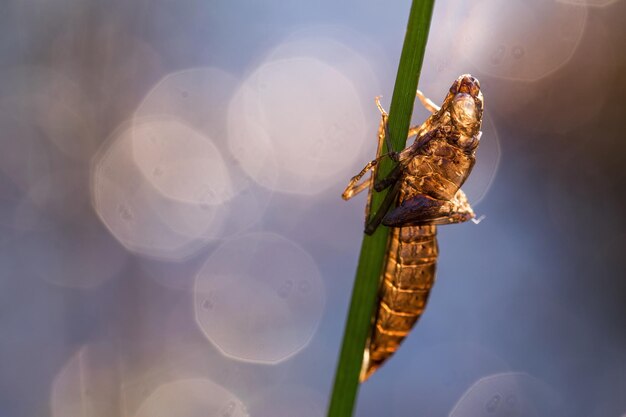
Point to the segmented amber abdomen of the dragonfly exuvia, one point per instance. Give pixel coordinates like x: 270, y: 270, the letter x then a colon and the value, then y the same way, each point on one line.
x: 409, y: 274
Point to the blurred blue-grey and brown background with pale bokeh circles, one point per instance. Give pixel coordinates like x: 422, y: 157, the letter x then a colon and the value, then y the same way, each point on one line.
x: 172, y: 238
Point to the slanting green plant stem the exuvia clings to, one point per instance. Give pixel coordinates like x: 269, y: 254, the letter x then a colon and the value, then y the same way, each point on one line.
x: 365, y: 291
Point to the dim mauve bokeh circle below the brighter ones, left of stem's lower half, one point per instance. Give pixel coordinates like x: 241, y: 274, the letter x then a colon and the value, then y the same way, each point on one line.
x: 259, y: 298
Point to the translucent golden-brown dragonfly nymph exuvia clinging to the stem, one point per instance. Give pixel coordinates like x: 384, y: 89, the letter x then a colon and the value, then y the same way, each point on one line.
x: 425, y: 191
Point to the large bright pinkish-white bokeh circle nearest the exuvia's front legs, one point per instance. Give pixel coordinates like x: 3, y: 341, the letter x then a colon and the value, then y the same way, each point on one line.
x: 296, y: 125
